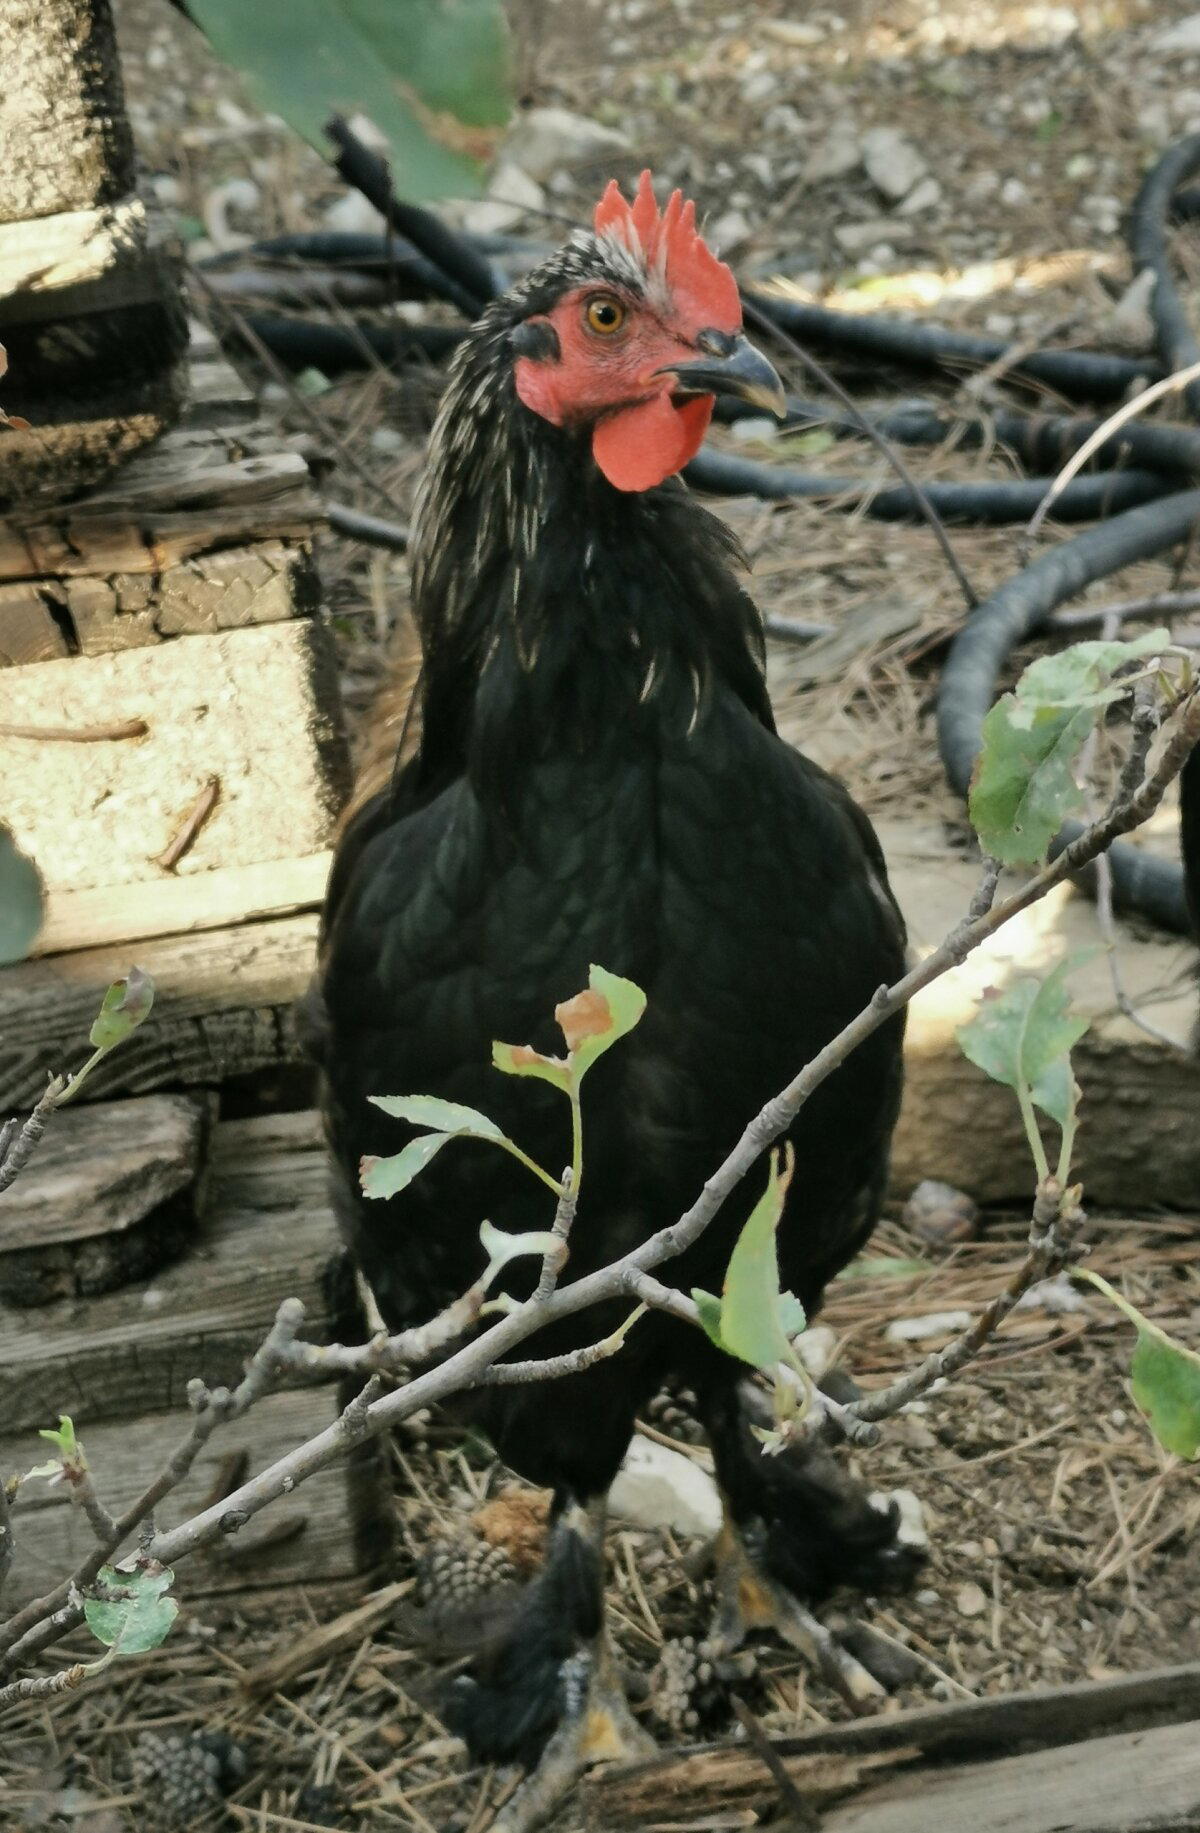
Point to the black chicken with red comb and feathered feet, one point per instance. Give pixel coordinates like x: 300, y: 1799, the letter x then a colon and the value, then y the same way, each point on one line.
x: 600, y: 780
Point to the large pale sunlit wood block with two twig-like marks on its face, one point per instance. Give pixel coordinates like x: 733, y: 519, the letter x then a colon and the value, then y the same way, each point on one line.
x: 105, y: 815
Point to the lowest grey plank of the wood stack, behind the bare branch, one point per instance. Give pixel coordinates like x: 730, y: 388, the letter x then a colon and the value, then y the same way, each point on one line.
x: 334, y: 1526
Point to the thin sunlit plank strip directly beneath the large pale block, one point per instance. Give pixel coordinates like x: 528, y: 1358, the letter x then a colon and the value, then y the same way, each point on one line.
x: 202, y: 901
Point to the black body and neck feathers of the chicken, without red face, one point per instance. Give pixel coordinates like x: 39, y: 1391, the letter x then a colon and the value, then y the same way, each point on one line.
x: 598, y: 782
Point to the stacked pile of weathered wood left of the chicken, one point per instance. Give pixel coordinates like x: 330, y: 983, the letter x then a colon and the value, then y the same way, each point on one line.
x: 171, y: 756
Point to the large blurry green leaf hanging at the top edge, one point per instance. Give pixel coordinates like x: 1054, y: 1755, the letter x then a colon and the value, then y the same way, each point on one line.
x: 433, y: 76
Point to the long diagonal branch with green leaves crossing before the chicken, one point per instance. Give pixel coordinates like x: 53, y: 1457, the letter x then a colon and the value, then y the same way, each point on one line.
x: 1023, y: 1038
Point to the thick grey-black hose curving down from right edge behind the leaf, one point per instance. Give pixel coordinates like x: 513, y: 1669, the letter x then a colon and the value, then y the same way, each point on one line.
x: 1014, y: 613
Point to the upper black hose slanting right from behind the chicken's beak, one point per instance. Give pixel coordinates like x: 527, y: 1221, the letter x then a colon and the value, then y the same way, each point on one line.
x: 1078, y: 375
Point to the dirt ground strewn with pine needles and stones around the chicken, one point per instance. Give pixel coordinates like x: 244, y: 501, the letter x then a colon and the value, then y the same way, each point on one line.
x: 1060, y: 1535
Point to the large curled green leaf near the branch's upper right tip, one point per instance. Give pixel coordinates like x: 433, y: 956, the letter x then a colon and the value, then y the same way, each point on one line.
x: 1025, y: 784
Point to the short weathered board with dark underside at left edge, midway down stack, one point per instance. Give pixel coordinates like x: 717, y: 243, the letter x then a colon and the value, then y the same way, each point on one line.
x: 109, y: 1198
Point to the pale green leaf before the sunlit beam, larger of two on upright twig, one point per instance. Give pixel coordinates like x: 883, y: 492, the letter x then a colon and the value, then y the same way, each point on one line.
x: 1025, y: 1037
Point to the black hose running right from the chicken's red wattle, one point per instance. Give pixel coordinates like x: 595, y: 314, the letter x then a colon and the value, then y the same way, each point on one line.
x: 992, y: 505
